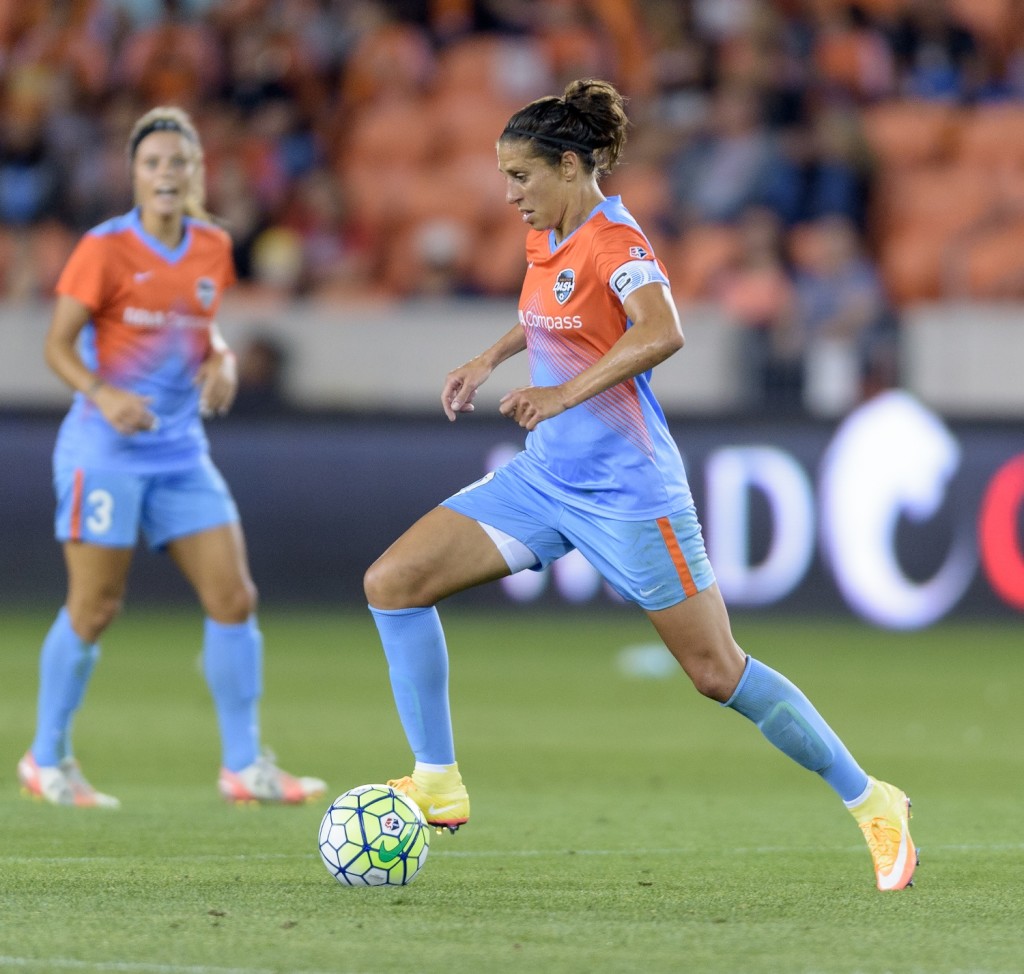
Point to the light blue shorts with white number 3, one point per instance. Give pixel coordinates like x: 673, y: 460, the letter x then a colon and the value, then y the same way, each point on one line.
x: 111, y: 507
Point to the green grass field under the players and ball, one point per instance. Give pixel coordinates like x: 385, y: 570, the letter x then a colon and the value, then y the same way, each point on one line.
x: 620, y: 824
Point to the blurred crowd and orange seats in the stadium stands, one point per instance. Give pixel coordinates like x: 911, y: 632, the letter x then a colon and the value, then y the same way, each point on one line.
x: 810, y: 164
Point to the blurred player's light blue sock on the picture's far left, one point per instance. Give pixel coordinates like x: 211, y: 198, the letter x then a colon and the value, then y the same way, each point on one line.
x: 66, y: 664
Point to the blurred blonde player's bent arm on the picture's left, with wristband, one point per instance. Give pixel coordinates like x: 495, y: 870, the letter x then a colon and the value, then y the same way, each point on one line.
x: 126, y: 412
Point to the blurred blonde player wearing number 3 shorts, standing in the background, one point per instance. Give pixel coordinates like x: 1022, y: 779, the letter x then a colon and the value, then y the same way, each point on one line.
x: 134, y: 333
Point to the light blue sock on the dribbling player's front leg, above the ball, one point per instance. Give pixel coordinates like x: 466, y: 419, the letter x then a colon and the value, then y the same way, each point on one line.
x: 417, y: 656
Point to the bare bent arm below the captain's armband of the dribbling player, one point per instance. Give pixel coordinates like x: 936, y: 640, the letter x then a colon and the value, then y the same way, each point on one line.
x: 656, y: 334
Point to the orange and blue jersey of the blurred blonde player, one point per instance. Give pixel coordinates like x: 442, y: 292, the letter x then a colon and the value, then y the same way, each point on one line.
x: 152, y: 309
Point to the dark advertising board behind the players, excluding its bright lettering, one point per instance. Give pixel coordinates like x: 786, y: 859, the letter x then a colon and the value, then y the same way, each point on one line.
x: 322, y: 497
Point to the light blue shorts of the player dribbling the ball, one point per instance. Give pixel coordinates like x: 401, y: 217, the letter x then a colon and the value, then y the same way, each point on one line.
x: 655, y: 563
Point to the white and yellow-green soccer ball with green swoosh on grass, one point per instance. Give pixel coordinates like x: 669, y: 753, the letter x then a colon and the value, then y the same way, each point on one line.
x: 374, y: 836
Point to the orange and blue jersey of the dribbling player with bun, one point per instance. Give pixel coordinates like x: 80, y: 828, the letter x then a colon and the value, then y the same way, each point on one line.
x: 612, y: 454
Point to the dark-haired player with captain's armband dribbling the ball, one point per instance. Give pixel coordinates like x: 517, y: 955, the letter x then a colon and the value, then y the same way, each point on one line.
x: 601, y: 473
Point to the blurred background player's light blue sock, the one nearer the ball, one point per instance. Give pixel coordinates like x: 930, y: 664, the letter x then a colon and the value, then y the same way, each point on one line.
x: 233, y: 664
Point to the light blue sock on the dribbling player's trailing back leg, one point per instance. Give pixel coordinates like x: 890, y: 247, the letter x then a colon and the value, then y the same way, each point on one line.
x: 790, y: 722
